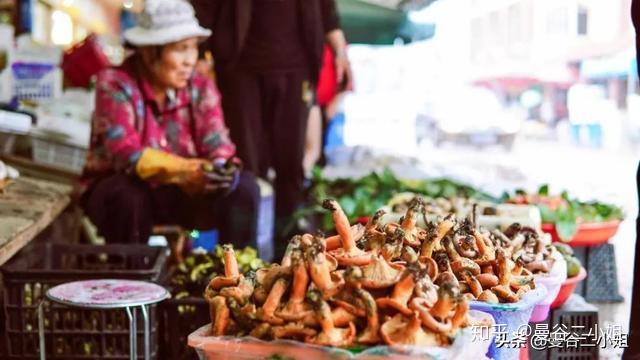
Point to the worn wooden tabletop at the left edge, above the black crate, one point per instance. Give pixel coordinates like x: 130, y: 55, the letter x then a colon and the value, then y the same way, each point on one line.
x: 28, y: 206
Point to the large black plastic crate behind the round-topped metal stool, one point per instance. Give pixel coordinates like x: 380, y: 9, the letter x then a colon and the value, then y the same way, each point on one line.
x: 72, y: 333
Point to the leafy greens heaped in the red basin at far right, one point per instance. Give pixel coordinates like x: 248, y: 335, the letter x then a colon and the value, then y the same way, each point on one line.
x: 565, y: 212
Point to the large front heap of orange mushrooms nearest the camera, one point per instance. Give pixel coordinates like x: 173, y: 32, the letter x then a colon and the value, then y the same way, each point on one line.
x: 366, y: 285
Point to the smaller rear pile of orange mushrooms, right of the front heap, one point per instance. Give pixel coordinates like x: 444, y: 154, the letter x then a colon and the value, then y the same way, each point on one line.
x: 489, y: 266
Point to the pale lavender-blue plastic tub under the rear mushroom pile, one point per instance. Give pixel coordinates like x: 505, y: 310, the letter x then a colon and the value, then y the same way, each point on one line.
x: 509, y: 318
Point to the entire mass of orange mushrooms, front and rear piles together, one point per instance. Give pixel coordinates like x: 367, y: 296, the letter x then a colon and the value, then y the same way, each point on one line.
x: 395, y: 284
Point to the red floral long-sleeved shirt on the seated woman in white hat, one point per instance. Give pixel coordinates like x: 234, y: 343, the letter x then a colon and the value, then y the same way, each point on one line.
x: 127, y: 119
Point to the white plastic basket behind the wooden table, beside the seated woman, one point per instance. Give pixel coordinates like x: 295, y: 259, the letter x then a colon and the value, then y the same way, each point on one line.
x: 63, y: 156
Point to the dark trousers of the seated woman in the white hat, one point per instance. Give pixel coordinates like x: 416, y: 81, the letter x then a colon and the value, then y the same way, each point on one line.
x: 125, y: 208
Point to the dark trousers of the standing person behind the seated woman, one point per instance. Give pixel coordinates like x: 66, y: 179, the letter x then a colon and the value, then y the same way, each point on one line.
x: 267, y: 117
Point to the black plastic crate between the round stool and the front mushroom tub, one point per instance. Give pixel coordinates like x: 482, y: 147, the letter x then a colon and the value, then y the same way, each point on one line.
x: 178, y: 319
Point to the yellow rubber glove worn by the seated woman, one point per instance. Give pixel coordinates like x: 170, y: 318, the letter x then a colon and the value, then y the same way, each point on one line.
x: 165, y: 168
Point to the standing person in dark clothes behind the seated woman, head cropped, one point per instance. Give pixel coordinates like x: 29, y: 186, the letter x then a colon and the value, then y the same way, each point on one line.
x: 267, y: 56
